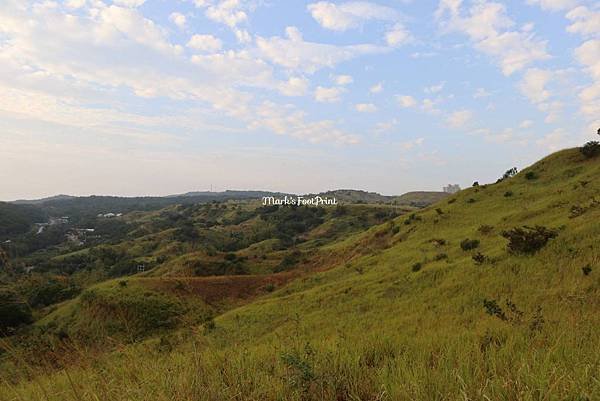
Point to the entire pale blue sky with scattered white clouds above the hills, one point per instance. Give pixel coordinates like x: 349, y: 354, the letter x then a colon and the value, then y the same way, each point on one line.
x: 157, y: 97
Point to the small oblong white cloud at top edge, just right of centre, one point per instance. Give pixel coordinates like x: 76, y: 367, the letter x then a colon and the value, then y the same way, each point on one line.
x: 344, y: 16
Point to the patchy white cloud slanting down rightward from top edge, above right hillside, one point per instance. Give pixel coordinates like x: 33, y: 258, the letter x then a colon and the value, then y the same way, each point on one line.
x: 487, y: 24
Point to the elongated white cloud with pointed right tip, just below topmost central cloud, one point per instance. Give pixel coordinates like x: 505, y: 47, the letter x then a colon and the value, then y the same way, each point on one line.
x: 296, y: 54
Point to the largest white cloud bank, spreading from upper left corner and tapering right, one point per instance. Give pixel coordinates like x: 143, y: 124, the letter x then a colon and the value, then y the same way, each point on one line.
x: 74, y: 69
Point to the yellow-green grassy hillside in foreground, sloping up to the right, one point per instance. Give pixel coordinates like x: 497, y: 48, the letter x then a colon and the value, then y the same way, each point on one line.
x: 456, y: 301
